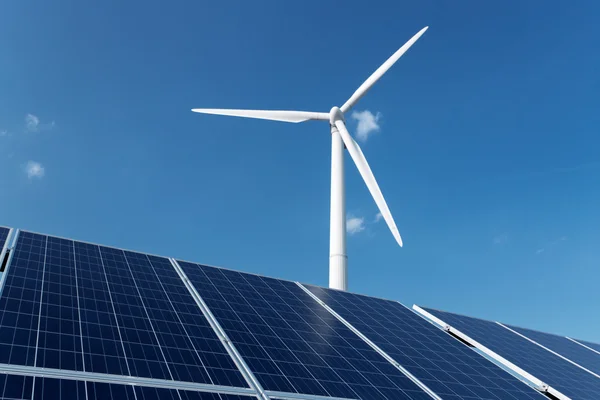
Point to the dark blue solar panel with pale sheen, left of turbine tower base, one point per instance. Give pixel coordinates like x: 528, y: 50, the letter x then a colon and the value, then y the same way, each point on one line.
x: 292, y: 343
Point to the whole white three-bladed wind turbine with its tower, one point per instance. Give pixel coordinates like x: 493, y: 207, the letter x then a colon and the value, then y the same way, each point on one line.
x: 338, y: 278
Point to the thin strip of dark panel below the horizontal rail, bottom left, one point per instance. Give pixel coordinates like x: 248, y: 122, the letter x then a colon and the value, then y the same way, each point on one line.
x: 14, y: 387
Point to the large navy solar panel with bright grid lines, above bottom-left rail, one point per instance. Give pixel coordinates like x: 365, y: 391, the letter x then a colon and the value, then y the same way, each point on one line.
x: 83, y: 307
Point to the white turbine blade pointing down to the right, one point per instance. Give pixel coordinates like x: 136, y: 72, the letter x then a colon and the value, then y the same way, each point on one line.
x: 365, y: 171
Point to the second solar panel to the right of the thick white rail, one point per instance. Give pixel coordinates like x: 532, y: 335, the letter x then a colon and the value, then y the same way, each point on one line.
x: 565, y: 347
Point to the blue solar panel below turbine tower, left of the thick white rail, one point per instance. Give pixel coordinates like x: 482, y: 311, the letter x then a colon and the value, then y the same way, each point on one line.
x: 445, y: 365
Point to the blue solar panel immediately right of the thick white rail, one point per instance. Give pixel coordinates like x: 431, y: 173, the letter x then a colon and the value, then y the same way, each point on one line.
x: 551, y: 369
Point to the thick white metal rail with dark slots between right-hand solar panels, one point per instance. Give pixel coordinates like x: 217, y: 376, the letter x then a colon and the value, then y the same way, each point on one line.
x: 525, y: 376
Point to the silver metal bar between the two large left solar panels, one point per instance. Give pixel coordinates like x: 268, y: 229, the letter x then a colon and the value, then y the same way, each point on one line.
x: 231, y: 350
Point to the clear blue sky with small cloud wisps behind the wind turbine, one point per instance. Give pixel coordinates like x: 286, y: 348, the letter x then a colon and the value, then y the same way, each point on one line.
x: 486, y: 148
